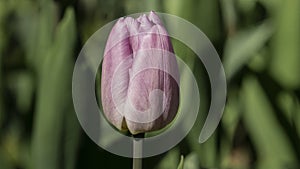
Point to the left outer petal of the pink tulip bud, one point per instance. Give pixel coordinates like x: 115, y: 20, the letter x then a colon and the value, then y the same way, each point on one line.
x: 117, y: 54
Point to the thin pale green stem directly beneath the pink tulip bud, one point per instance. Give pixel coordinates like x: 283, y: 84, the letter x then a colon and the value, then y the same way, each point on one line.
x: 137, y: 151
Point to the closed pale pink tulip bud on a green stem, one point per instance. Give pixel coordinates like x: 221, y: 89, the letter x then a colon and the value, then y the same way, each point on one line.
x: 140, y: 77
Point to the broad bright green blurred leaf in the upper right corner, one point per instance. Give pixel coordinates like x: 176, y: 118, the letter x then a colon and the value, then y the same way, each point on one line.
x: 285, y: 63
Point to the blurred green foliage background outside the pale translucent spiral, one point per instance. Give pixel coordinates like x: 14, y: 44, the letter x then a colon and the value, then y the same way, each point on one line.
x: 257, y: 40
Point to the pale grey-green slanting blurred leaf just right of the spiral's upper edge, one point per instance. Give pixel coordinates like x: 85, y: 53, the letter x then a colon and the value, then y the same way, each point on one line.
x: 244, y: 45
